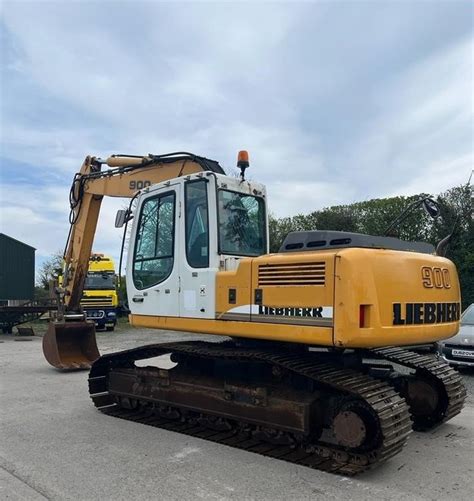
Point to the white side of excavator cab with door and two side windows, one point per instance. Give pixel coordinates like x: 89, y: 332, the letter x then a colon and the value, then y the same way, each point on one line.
x: 173, y: 261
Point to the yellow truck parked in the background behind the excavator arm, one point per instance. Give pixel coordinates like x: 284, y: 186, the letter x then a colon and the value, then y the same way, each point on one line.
x: 99, y: 299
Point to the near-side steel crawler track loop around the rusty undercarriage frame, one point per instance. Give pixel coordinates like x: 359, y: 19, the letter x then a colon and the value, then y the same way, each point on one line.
x: 388, y: 407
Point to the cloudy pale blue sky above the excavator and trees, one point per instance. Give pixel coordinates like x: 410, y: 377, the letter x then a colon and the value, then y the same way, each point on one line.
x: 336, y: 101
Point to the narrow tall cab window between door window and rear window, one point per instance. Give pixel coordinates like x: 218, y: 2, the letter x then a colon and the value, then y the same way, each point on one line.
x: 197, y: 224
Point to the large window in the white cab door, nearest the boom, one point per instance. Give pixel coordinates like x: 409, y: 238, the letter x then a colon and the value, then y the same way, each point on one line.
x: 153, y: 257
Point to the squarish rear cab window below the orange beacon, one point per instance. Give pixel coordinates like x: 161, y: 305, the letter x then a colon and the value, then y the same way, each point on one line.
x: 241, y: 224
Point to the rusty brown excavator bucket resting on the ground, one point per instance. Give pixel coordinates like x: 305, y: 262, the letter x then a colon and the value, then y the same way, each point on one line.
x: 70, y: 345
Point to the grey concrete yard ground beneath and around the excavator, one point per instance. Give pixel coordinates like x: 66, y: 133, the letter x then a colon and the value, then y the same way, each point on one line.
x: 55, y: 445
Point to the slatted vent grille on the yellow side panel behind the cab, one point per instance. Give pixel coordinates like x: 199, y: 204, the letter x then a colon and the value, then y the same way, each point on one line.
x: 292, y: 274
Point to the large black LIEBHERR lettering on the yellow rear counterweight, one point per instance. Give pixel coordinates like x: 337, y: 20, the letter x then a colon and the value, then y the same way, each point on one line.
x: 425, y: 313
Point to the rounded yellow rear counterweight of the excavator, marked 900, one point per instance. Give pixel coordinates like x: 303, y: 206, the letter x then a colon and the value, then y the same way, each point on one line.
x: 380, y: 278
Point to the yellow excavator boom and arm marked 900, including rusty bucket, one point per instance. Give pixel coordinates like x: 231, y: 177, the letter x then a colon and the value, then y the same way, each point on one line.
x: 70, y: 340
